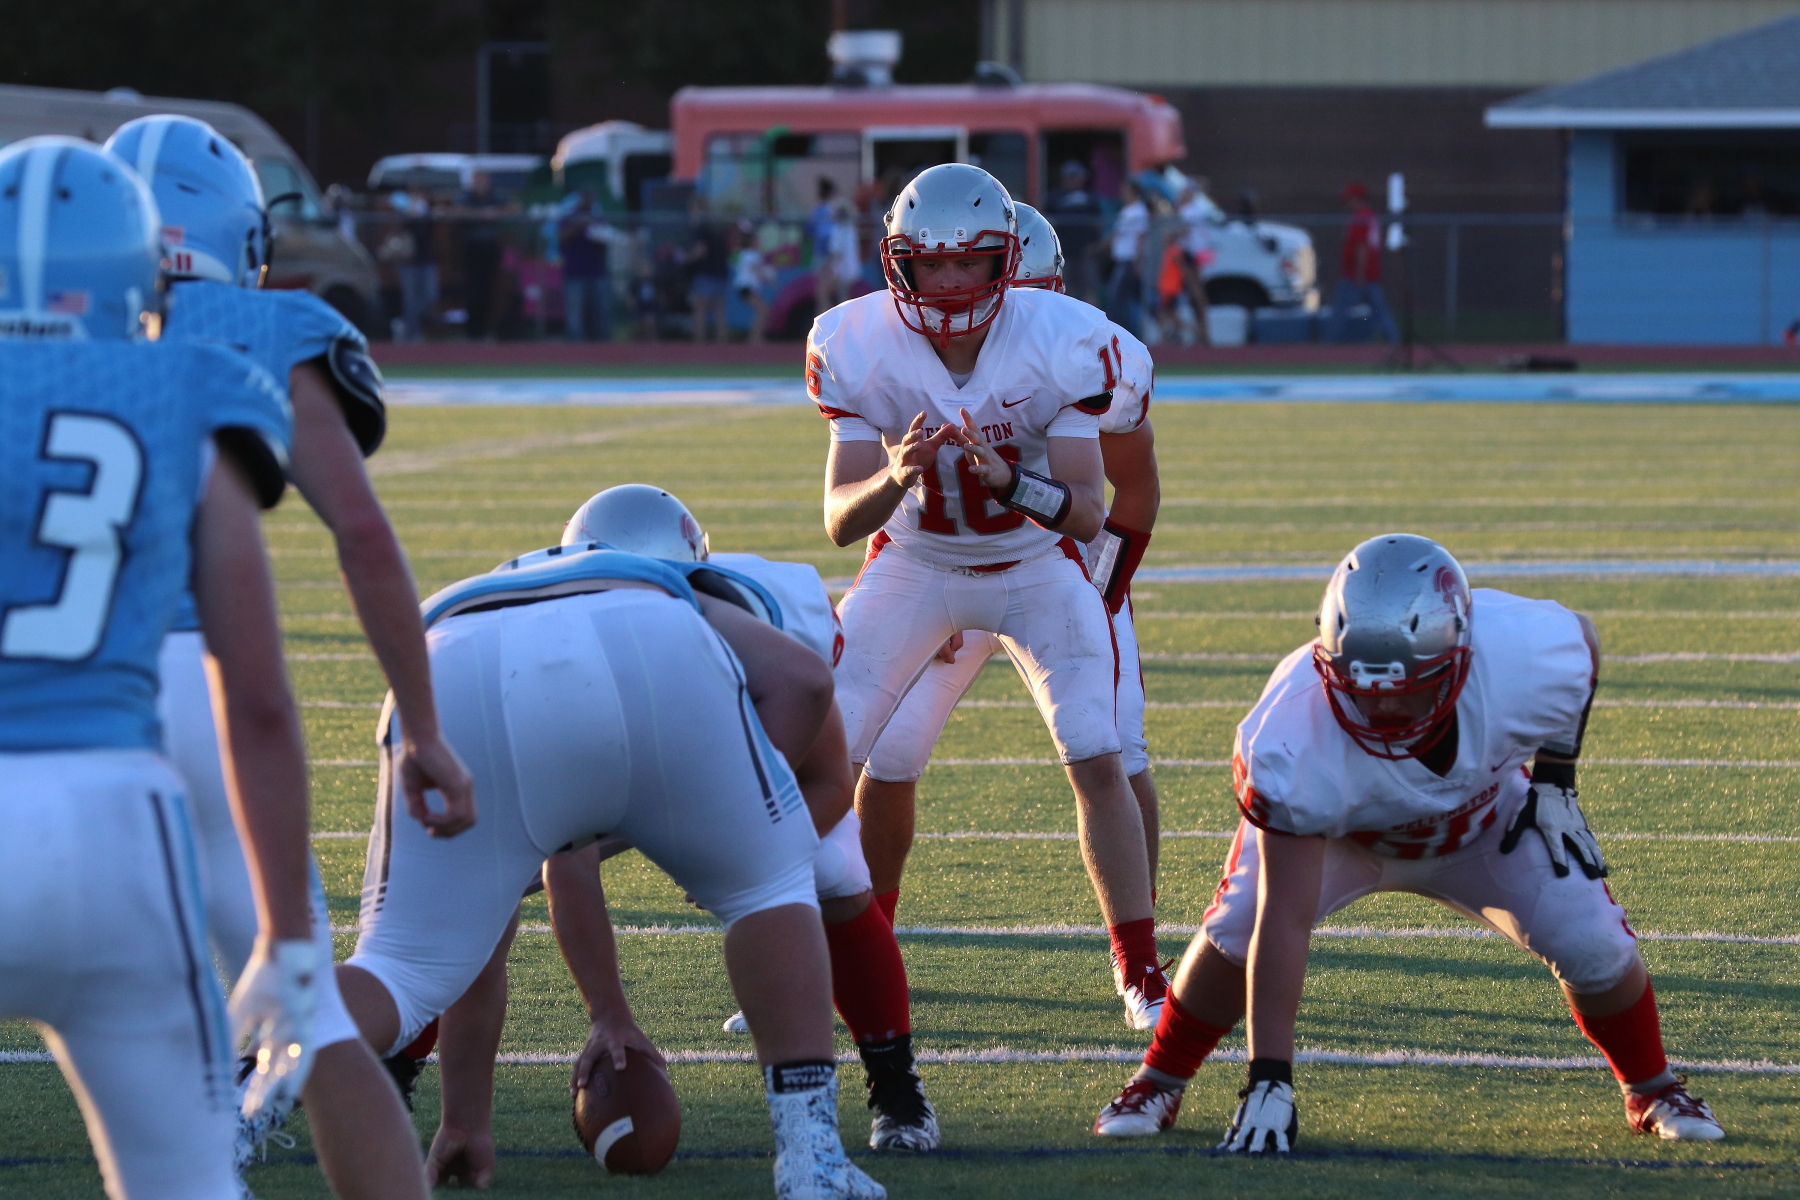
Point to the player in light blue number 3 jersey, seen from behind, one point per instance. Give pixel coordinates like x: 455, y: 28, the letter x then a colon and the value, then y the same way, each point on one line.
x: 129, y: 470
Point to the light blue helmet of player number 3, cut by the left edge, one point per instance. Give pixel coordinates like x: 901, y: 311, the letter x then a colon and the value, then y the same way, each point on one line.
x: 80, y: 246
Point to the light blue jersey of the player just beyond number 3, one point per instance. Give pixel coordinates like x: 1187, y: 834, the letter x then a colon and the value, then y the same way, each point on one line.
x: 282, y: 330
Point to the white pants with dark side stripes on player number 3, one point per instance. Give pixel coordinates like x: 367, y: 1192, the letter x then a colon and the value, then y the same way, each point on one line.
x: 103, y: 945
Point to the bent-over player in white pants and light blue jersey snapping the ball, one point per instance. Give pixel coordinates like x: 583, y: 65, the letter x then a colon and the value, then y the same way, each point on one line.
x: 597, y: 694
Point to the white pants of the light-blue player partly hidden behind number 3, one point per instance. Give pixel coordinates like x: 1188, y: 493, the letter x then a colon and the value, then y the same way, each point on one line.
x: 184, y: 704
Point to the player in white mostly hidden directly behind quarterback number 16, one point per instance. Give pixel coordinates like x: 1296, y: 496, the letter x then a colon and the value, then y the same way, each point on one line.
x: 1128, y: 451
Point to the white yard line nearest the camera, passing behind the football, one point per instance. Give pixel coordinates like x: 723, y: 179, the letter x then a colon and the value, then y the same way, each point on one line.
x: 1000, y: 1057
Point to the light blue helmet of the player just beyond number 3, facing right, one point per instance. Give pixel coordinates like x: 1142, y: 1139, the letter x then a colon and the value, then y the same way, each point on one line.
x: 215, y: 224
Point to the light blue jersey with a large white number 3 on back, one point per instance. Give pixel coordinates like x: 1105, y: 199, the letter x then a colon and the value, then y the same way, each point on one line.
x: 103, y: 460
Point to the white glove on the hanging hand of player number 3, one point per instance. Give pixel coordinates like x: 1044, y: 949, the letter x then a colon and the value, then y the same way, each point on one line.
x: 274, y: 1008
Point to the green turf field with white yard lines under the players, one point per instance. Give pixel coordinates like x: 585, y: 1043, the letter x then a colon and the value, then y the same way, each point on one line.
x: 1279, y: 483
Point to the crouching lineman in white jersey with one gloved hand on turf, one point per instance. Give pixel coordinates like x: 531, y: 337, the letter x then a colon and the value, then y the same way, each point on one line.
x: 1390, y: 755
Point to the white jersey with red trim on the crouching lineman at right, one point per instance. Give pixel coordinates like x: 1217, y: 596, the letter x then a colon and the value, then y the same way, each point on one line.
x: 1297, y: 771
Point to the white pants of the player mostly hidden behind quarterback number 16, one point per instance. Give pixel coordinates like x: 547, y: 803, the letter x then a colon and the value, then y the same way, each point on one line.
x: 913, y: 731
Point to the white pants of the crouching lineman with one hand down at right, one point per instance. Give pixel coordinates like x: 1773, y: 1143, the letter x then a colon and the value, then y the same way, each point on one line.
x: 1572, y: 924
